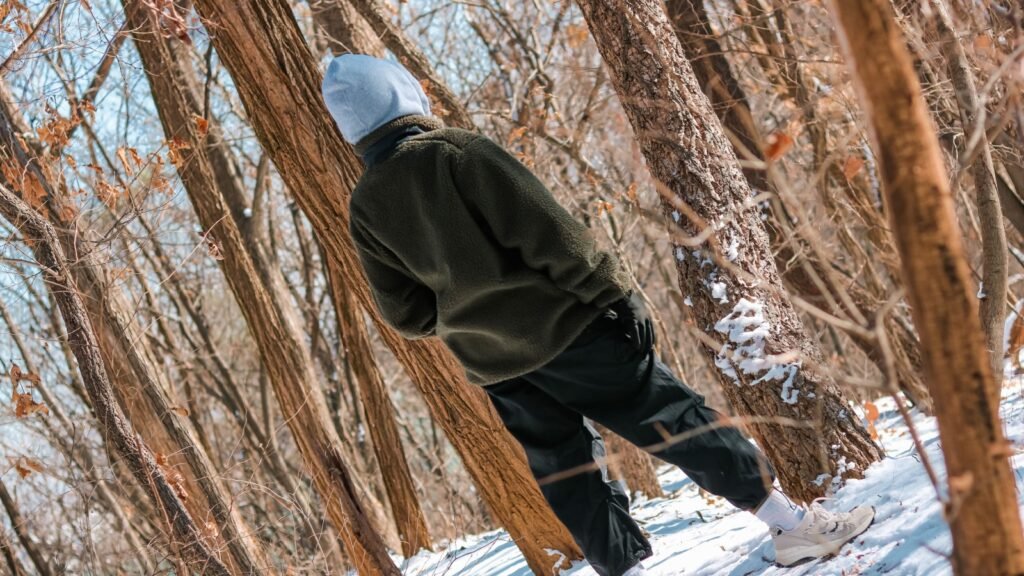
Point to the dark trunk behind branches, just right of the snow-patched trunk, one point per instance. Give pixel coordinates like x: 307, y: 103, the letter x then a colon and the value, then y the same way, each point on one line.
x: 730, y: 101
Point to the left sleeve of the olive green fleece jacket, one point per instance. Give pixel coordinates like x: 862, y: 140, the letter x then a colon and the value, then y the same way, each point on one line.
x: 407, y: 305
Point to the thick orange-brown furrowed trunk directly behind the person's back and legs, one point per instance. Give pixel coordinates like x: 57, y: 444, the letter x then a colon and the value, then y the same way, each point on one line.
x: 279, y: 84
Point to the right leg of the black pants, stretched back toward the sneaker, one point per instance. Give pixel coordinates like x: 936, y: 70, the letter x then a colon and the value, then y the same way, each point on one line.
x: 606, y: 379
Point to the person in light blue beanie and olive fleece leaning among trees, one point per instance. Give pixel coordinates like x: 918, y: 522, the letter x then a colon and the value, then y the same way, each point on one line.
x: 461, y: 241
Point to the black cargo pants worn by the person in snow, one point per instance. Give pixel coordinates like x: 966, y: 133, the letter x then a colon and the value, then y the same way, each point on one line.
x: 604, y: 378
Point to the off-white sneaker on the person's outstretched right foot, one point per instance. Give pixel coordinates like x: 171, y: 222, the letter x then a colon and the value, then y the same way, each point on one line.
x: 822, y: 533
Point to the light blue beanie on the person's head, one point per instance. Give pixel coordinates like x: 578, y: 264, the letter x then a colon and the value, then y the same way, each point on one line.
x: 364, y: 94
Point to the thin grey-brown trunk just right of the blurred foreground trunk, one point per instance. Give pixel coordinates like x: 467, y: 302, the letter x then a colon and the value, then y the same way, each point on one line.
x: 994, y: 238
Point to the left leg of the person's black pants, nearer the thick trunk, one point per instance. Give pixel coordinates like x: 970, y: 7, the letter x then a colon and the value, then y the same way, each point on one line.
x: 594, y: 509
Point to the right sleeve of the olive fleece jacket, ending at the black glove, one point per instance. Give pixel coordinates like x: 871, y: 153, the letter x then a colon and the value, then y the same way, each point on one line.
x: 525, y: 217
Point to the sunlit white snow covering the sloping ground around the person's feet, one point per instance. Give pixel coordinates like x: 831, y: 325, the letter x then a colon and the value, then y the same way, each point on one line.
x: 694, y: 537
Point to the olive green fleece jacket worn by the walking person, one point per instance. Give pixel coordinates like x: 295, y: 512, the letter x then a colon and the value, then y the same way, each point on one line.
x: 461, y: 241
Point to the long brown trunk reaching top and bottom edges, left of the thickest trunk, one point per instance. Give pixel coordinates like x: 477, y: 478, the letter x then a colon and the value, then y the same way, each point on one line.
x: 263, y: 299
